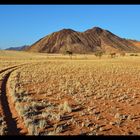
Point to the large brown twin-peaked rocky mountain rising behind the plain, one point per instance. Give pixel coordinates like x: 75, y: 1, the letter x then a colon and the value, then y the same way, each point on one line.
x: 83, y: 42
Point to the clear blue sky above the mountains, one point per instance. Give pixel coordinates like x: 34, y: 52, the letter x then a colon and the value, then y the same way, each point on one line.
x: 25, y: 24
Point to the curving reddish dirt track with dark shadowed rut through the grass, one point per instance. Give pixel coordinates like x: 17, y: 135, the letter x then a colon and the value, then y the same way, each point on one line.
x: 13, y: 121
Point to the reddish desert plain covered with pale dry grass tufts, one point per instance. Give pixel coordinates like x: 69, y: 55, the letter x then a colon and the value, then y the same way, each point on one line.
x: 54, y: 94
